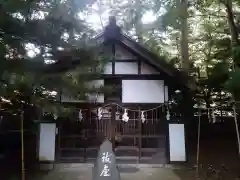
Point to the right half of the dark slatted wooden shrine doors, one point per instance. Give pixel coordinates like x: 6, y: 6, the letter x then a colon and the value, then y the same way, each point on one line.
x: 138, y: 141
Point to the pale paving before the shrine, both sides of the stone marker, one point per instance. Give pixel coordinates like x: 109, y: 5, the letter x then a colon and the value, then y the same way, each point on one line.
x: 127, y: 172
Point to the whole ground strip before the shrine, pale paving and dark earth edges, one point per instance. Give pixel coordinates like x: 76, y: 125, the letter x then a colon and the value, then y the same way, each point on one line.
x: 84, y: 172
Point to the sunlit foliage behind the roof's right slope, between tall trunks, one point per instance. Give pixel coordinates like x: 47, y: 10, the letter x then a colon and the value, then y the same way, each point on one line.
x: 209, y: 37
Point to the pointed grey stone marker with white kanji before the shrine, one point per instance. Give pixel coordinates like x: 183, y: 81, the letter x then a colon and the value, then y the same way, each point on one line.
x: 105, y: 167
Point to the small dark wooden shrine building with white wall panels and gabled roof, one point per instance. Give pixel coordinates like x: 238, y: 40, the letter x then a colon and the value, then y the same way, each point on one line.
x: 136, y: 116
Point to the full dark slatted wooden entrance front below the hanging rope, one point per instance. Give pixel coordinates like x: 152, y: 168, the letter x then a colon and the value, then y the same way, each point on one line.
x: 141, y: 138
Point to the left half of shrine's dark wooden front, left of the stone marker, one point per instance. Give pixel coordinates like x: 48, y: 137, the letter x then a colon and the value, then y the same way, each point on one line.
x: 79, y: 140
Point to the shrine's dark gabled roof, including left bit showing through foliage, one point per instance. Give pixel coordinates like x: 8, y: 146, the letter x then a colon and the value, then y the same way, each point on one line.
x: 113, y: 34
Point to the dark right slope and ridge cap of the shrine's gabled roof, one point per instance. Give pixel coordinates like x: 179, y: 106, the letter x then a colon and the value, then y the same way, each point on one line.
x: 113, y: 34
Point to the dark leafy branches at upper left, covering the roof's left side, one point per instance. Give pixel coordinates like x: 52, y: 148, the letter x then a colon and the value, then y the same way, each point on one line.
x: 45, y: 26
